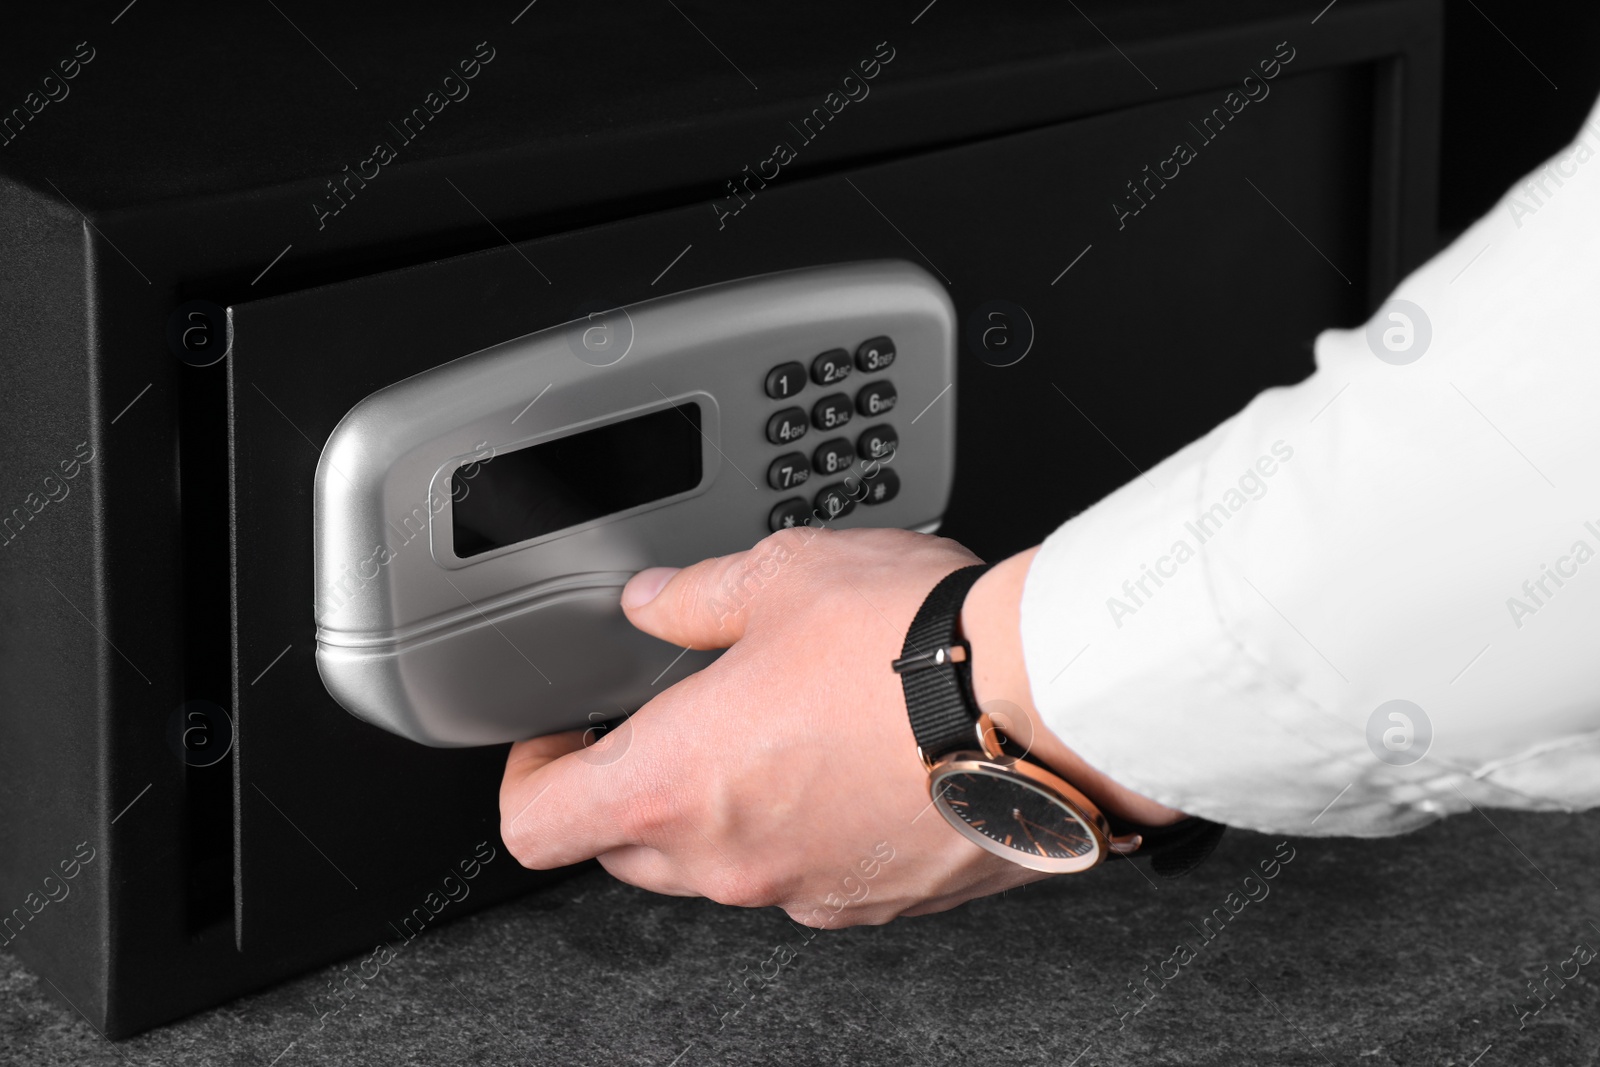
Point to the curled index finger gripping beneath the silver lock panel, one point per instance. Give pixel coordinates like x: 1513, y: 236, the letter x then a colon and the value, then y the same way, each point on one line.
x: 556, y: 807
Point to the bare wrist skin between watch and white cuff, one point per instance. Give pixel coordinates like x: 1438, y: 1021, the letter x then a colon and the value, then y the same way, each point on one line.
x: 993, y: 626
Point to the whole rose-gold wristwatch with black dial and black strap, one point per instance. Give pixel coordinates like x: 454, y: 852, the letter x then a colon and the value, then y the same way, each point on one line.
x: 993, y: 794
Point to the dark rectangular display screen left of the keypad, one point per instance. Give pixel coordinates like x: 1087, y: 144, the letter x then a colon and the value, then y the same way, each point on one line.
x: 532, y: 492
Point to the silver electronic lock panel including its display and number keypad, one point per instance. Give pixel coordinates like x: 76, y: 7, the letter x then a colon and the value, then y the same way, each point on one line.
x: 476, y: 524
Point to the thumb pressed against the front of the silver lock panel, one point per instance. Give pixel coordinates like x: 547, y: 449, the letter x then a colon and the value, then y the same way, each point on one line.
x: 708, y: 605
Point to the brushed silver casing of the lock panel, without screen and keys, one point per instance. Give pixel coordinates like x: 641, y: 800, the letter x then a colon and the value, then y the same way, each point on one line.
x: 529, y: 639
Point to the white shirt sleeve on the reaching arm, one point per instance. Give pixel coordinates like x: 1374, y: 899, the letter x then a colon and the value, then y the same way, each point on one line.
x: 1372, y: 599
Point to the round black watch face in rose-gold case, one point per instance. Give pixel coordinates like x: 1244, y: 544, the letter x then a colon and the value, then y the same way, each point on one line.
x: 1006, y: 813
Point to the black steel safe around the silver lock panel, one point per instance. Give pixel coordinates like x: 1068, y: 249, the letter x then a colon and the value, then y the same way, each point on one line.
x: 342, y: 202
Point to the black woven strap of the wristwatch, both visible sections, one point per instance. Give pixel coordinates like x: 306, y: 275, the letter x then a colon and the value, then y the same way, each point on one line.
x: 935, y: 671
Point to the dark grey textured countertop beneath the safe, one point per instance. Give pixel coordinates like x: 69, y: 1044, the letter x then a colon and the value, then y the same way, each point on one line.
x: 1407, y: 951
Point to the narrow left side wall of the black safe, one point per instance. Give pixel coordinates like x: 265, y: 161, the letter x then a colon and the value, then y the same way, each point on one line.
x: 55, y: 783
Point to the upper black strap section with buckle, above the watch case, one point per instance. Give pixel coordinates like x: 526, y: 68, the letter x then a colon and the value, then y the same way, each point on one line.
x: 935, y: 673
